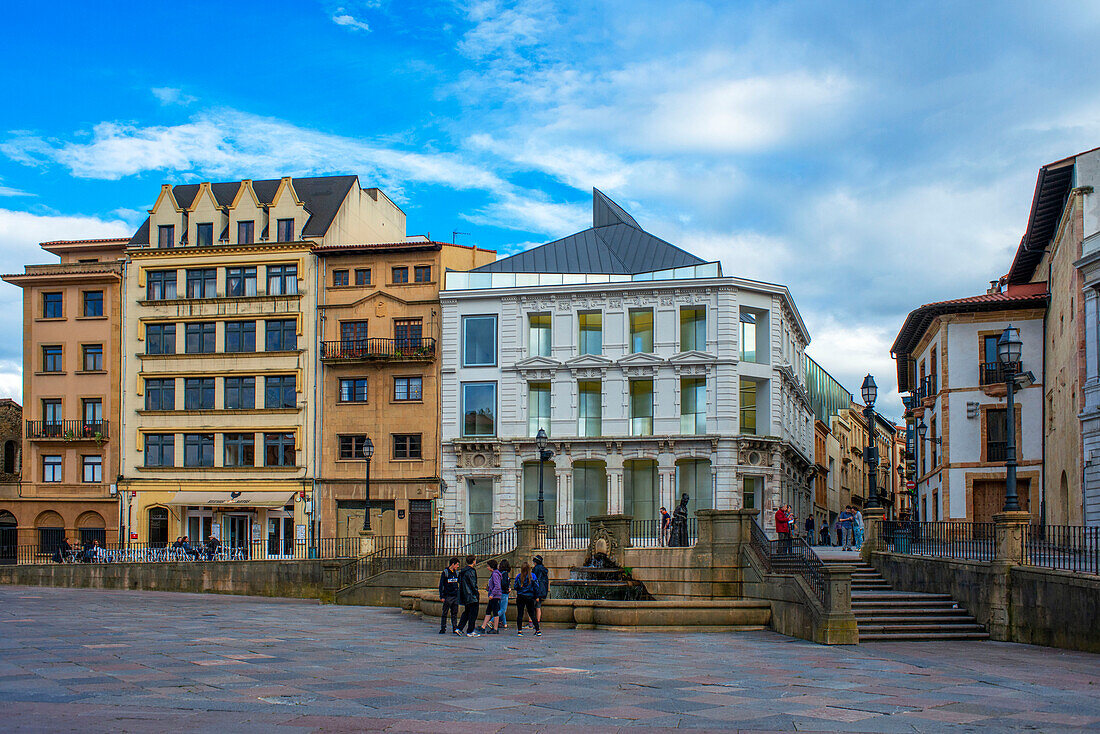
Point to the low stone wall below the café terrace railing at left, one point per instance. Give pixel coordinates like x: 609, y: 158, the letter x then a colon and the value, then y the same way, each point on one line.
x: 291, y: 578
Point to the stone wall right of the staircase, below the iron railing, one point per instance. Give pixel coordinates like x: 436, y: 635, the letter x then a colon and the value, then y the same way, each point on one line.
x: 1016, y: 604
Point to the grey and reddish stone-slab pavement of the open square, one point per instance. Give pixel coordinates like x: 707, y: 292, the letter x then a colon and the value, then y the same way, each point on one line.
x: 89, y: 661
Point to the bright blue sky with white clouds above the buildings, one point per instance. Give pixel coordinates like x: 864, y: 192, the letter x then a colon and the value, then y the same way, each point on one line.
x: 873, y: 157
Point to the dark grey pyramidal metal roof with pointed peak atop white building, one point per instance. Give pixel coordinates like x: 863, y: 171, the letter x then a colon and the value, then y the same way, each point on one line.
x: 614, y: 245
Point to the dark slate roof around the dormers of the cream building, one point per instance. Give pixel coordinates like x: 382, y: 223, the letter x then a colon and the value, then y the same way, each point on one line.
x: 322, y: 196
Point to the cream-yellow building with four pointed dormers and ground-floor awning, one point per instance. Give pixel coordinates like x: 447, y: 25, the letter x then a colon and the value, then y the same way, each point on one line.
x: 221, y: 354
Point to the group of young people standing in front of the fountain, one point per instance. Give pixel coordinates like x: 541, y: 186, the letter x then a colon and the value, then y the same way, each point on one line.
x: 459, y: 588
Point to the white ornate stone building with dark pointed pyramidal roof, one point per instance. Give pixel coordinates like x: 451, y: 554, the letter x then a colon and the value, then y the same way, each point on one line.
x: 653, y: 374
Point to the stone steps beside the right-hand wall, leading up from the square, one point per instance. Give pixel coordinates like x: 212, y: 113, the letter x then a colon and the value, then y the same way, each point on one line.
x: 885, y: 615
